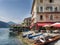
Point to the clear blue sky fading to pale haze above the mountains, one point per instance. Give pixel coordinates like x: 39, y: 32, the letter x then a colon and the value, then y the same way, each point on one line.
x: 15, y: 10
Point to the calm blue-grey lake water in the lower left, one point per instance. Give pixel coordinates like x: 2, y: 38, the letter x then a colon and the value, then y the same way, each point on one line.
x: 6, y: 39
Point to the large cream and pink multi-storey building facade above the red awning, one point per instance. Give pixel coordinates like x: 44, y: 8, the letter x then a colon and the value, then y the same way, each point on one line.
x: 45, y: 11
